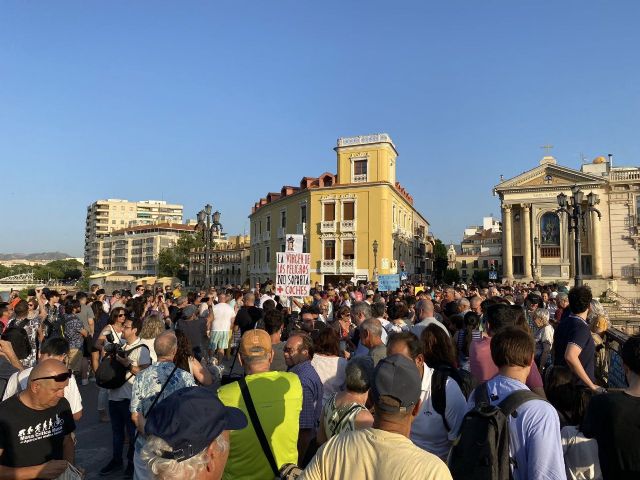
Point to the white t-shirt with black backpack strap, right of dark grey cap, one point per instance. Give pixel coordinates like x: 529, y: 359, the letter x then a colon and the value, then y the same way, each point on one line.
x: 428, y: 430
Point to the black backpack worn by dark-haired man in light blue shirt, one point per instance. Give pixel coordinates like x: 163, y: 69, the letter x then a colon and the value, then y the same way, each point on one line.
x: 482, y: 449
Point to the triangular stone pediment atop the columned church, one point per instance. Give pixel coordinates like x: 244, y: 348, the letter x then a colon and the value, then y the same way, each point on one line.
x: 548, y: 176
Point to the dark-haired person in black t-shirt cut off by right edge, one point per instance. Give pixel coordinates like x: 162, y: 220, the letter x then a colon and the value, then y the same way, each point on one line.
x: 613, y: 419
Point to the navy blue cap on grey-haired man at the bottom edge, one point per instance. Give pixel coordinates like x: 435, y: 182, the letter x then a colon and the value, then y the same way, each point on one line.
x: 190, y: 419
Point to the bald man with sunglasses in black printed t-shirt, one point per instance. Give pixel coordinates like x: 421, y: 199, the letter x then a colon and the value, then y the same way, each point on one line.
x: 36, y: 426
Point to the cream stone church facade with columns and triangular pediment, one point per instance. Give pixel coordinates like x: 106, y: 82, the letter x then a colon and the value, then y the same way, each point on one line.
x: 537, y: 243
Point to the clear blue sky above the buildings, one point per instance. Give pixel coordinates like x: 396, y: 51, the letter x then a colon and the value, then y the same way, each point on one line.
x: 221, y: 102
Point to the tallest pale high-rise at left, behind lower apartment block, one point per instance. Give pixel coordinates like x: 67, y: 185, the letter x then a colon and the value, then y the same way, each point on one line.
x: 105, y: 216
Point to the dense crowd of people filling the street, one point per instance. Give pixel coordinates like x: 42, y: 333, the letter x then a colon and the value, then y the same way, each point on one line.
x: 433, y: 382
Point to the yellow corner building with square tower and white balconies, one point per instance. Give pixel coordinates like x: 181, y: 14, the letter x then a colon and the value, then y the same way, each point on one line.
x: 342, y: 216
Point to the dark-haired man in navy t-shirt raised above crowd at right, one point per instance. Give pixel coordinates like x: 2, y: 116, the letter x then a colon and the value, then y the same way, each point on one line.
x: 573, y: 344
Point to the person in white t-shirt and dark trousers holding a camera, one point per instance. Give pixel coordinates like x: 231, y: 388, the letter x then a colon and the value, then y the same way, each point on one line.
x: 134, y: 355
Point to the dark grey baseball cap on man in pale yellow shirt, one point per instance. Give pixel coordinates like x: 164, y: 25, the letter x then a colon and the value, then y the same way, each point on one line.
x: 396, y: 384
